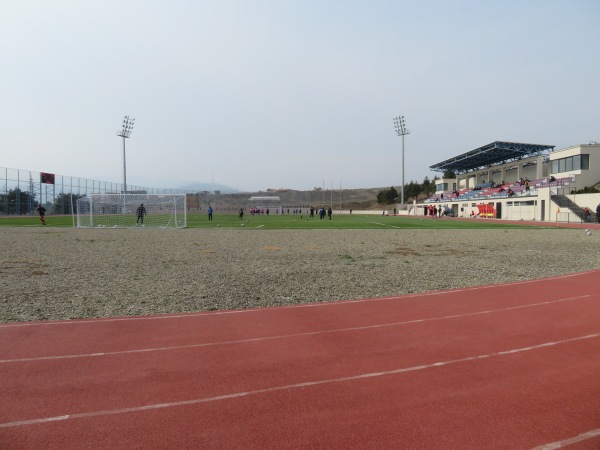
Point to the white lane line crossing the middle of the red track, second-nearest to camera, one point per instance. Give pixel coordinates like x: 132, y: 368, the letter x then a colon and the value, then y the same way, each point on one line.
x: 291, y: 386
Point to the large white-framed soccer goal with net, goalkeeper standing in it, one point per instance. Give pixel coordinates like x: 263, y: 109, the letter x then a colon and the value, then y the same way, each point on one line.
x: 132, y: 210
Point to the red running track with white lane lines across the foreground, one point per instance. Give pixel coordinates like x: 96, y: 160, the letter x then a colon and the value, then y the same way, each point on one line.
x: 512, y: 366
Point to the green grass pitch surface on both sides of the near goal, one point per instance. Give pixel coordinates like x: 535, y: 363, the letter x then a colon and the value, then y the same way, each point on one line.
x: 345, y: 221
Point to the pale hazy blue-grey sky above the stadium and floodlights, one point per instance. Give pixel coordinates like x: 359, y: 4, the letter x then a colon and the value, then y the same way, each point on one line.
x: 258, y: 94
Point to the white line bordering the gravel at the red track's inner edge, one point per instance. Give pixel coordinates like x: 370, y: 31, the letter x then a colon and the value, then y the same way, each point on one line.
x: 305, y: 305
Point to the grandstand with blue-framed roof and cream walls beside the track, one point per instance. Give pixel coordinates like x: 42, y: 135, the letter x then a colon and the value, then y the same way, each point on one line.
x: 517, y: 181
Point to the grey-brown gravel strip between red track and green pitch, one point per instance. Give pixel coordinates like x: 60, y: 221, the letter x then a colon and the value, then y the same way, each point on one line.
x: 69, y: 273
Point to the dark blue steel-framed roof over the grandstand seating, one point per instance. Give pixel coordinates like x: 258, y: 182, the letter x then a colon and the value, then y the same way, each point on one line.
x: 497, y: 152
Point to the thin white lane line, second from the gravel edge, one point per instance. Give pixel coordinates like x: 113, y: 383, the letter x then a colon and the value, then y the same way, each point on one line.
x: 286, y: 336
